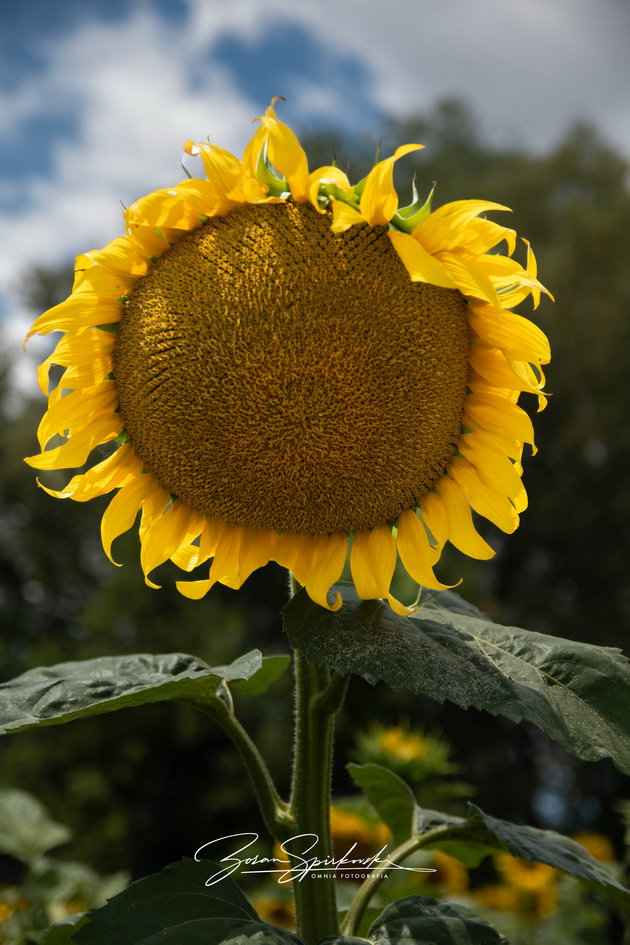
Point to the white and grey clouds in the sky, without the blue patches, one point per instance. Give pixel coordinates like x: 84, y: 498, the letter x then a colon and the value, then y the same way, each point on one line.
x: 139, y: 88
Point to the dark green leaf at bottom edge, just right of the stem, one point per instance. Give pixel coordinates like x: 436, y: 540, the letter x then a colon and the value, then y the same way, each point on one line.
x: 427, y: 922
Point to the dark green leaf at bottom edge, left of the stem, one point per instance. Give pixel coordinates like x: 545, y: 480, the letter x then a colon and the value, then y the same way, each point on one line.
x: 176, y: 907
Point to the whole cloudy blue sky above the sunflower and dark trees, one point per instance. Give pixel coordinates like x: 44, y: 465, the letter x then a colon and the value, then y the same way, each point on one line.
x: 98, y: 96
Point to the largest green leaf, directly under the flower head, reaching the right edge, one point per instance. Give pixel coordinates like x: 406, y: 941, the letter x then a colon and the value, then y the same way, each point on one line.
x: 577, y: 693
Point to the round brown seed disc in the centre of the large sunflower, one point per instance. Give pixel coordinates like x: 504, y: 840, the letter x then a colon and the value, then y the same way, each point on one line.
x: 274, y: 374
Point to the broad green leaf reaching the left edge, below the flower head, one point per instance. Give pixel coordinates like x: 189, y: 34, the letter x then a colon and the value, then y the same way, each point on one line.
x: 56, y: 694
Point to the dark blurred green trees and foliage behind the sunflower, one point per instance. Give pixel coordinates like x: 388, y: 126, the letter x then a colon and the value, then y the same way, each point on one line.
x: 142, y: 789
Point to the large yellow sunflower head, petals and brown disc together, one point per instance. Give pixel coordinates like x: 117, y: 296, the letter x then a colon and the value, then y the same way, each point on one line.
x: 279, y: 363
